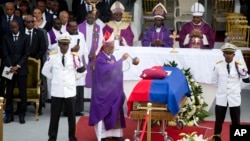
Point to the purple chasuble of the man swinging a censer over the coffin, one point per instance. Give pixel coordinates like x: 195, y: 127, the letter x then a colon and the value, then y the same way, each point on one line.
x: 107, y: 93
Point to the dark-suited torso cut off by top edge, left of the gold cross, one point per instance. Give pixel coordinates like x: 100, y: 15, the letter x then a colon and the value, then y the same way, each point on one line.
x: 80, y: 9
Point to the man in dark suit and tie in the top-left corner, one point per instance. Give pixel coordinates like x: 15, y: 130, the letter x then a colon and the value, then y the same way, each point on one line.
x: 9, y: 16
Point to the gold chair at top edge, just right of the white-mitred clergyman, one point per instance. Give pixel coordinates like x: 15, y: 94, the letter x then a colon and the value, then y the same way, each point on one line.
x: 220, y: 10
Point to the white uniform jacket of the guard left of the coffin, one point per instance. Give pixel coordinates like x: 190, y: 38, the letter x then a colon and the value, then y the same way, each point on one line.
x: 63, y: 78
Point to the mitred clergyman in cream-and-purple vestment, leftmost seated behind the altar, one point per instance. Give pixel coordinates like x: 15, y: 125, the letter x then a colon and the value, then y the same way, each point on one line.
x: 122, y: 30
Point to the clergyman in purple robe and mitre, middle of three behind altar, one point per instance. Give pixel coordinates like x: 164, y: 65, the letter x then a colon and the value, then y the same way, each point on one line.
x: 159, y: 34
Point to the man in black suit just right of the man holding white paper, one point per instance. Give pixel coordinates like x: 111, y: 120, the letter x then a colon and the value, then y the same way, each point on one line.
x: 37, y: 46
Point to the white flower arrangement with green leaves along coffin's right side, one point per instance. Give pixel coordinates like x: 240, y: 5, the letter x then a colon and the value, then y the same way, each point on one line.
x: 193, y: 110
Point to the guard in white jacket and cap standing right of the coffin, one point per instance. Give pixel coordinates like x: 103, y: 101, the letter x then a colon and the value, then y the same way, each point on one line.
x: 227, y: 75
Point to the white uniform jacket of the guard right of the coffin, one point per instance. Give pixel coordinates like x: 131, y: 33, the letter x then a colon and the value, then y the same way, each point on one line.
x: 228, y: 85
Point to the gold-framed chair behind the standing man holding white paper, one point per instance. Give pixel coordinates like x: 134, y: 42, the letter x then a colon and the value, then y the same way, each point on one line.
x: 33, y: 84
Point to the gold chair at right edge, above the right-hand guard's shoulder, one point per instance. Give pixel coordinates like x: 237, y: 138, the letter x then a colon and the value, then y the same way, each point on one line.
x: 240, y: 35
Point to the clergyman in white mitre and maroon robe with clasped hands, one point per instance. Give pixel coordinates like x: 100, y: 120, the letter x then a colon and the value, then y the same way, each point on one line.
x: 197, y: 33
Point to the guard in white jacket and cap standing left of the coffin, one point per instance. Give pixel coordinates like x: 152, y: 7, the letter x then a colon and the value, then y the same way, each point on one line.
x: 62, y: 68
